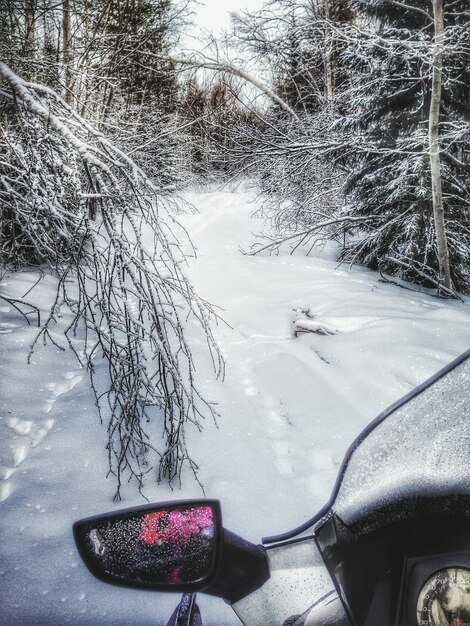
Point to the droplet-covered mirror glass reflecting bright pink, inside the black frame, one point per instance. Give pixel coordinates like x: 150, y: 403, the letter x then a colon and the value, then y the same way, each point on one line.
x: 167, y: 547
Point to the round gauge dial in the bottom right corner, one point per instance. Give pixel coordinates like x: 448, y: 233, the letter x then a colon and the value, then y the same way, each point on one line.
x: 444, y: 599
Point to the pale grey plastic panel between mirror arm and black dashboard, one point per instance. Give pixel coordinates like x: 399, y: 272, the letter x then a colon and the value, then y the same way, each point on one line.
x: 299, y: 578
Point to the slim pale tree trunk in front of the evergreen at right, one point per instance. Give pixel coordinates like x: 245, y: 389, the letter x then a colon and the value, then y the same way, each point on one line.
x: 434, y: 156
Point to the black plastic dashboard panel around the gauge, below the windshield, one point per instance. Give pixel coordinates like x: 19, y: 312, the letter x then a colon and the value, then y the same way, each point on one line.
x: 379, y: 571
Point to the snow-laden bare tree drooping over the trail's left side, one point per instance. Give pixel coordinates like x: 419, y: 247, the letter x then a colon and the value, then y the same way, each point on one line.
x: 73, y: 201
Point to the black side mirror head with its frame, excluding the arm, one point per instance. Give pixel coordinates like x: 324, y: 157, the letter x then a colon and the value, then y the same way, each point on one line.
x: 174, y: 546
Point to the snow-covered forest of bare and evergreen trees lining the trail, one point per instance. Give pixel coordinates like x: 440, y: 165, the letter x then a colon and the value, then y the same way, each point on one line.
x: 352, y: 117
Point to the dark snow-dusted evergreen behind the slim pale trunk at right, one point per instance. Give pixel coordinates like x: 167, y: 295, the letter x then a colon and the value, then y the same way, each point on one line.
x: 395, y: 141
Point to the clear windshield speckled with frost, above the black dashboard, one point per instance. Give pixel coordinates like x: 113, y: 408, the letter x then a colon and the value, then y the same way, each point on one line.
x: 420, y: 450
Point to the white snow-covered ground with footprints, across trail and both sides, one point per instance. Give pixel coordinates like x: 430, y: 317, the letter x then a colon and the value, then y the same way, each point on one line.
x: 289, y: 407
